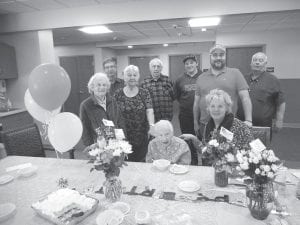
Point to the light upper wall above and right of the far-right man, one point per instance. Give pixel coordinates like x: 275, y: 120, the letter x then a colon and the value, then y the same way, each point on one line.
x: 282, y: 48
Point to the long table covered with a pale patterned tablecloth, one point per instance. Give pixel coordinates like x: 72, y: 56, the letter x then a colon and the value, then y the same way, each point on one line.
x: 25, y: 191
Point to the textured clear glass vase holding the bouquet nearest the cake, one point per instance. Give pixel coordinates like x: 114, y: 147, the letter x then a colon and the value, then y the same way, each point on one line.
x: 112, y: 189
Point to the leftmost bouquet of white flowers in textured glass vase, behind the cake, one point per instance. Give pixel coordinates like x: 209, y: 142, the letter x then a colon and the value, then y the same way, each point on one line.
x: 109, y: 156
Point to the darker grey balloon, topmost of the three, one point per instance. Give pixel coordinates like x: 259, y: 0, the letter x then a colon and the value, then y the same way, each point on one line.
x: 49, y: 85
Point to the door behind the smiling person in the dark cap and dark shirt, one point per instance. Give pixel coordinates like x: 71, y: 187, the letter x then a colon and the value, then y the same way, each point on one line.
x: 176, y: 66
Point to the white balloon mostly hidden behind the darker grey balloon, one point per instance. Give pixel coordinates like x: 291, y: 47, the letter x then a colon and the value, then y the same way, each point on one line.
x: 36, y: 111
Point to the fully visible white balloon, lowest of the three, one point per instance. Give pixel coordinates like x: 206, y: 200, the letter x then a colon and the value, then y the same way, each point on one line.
x: 64, y: 131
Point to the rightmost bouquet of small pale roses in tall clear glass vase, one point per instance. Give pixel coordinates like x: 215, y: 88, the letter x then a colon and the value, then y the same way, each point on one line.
x: 261, y: 167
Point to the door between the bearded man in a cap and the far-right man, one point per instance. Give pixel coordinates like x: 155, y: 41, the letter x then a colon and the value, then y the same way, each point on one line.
x: 240, y: 57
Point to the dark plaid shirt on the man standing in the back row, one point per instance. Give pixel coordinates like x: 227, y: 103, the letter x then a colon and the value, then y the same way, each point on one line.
x: 162, y: 95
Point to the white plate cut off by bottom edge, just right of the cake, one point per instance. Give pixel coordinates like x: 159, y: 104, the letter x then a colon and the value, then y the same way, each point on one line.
x: 110, y: 217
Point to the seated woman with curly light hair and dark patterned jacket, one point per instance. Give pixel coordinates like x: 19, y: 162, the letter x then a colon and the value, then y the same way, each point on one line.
x: 219, y: 106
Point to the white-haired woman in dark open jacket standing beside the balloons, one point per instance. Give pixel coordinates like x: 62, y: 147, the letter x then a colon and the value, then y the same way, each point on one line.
x: 100, y: 105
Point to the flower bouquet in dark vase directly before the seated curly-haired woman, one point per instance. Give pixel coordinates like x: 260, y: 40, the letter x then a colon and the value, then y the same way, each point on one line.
x: 220, y: 153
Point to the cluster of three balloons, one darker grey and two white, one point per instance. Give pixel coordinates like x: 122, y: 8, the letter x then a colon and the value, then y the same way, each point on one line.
x: 49, y: 86
